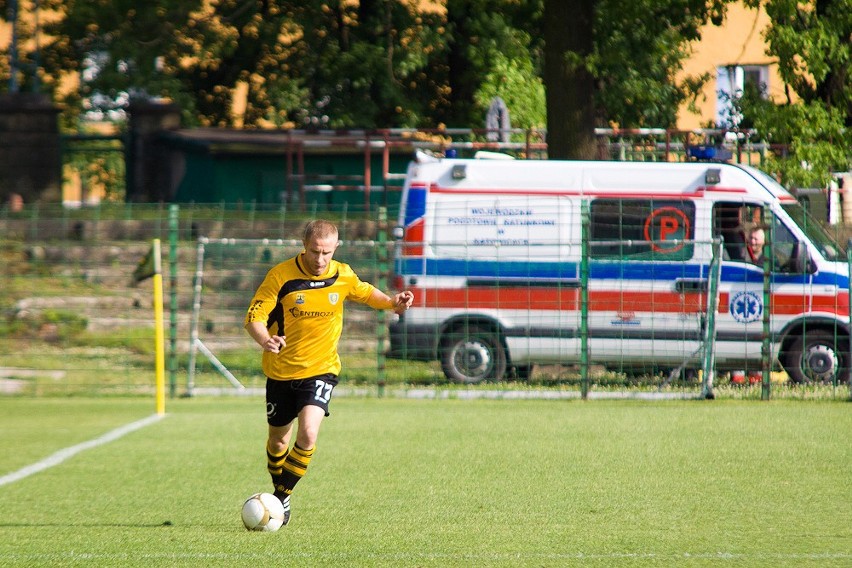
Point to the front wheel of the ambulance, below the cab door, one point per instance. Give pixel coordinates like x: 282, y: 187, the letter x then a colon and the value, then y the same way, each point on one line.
x: 815, y: 357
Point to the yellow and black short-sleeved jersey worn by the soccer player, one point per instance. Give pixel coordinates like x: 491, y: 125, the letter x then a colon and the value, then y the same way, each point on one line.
x: 308, y: 312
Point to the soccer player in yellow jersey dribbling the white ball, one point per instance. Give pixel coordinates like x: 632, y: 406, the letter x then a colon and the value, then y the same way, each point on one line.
x: 296, y: 316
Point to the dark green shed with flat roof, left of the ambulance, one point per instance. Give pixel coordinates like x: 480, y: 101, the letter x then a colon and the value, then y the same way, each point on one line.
x: 354, y: 169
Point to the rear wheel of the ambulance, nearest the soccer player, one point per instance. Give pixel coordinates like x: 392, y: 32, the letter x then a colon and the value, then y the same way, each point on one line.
x: 472, y: 356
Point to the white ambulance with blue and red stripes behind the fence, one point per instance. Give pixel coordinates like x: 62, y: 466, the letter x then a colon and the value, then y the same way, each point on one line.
x: 514, y: 262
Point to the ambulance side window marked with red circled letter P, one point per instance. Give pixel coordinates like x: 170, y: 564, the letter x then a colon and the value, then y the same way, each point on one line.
x: 642, y: 229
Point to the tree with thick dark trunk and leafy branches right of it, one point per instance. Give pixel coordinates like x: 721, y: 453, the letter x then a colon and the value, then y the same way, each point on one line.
x: 612, y: 62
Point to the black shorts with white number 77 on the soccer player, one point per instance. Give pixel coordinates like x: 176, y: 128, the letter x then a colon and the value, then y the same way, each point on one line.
x: 285, y: 399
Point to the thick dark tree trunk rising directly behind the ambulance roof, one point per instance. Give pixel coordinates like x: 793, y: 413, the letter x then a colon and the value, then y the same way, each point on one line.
x: 570, y: 88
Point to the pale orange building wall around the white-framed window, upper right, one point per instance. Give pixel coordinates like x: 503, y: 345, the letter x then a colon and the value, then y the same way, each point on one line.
x: 738, y: 41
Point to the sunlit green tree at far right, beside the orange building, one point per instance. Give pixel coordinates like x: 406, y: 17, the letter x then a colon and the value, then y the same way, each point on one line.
x: 813, y: 44
